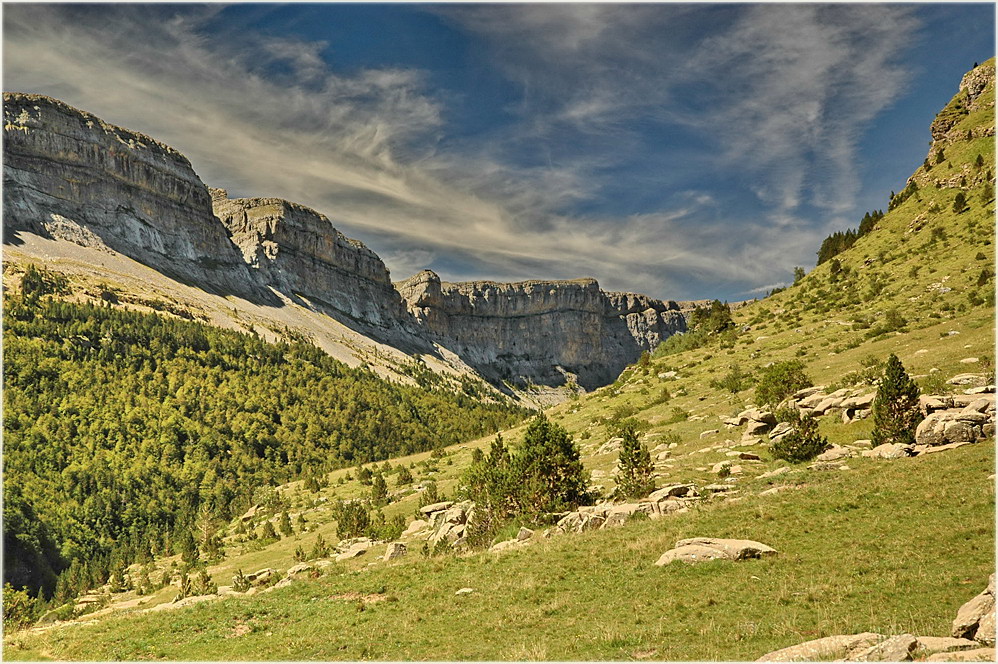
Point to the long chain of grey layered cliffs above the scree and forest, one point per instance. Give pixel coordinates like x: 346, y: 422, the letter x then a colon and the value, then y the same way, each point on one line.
x: 71, y: 177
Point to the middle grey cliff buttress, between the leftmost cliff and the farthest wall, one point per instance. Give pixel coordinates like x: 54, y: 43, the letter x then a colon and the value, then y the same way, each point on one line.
x: 296, y: 251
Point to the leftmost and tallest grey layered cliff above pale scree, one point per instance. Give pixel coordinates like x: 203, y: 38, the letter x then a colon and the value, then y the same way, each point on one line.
x: 69, y: 175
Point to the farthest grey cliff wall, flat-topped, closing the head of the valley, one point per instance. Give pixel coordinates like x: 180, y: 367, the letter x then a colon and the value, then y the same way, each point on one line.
x: 543, y: 332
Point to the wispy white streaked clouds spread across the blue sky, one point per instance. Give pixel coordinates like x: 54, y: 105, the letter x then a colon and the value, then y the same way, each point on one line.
x: 264, y: 116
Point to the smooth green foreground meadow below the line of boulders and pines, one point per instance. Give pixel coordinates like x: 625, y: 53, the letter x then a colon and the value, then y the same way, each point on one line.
x: 898, y: 551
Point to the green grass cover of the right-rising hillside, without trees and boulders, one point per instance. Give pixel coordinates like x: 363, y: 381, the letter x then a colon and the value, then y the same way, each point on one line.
x: 884, y: 546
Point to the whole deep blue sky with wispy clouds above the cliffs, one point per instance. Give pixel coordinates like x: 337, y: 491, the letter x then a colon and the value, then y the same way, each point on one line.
x: 684, y: 151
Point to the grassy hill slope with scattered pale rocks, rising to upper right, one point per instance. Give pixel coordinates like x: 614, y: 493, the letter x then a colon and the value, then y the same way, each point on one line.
x: 865, y: 553
